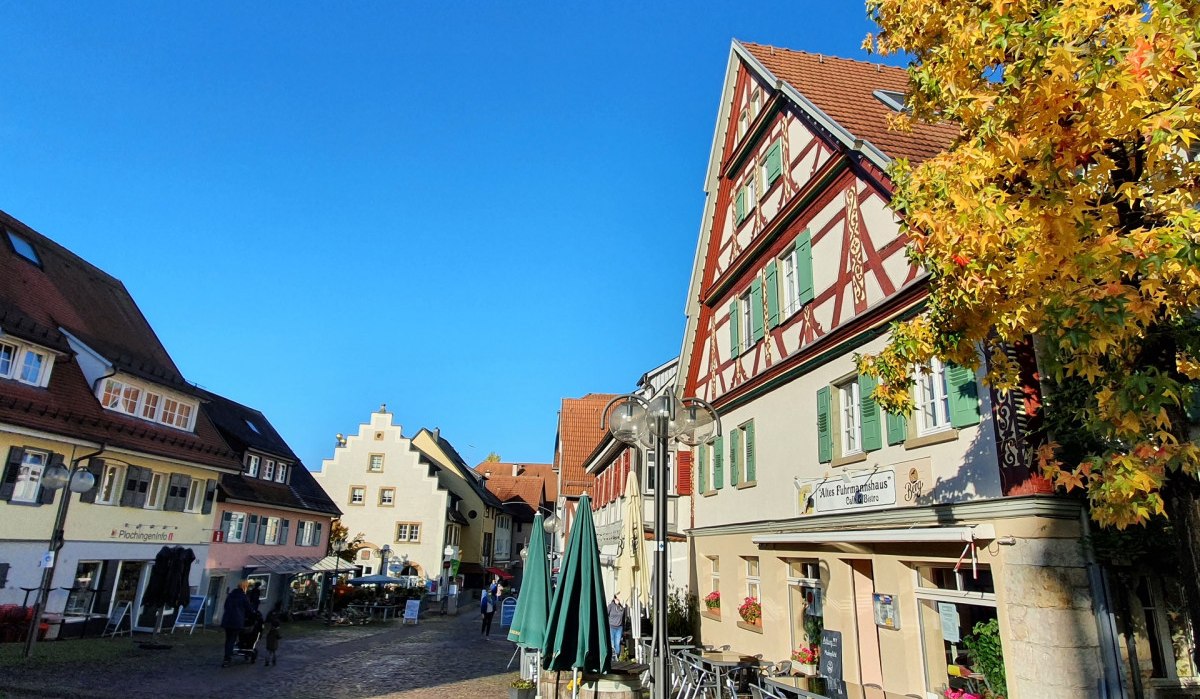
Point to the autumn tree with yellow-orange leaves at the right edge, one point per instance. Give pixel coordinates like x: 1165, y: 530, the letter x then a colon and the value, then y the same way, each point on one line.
x: 1067, y: 211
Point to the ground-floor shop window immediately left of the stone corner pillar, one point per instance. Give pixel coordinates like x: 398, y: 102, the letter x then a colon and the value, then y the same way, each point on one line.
x: 955, y: 607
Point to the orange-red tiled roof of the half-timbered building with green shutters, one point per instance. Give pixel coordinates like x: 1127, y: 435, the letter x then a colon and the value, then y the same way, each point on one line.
x: 842, y: 88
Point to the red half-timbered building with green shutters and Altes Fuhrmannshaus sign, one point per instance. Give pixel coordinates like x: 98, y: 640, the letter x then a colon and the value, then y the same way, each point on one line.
x: 890, y: 540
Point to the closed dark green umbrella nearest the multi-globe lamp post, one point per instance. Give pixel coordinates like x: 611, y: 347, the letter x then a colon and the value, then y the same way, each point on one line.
x: 578, y: 634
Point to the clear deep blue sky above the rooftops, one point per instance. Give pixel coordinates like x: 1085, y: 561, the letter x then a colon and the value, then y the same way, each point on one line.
x: 465, y: 211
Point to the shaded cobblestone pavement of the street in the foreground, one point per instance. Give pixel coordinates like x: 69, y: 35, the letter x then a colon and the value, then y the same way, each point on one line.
x: 442, y: 658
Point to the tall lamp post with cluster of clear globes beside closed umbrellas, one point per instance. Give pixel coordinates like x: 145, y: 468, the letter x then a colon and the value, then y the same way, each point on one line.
x: 662, y: 421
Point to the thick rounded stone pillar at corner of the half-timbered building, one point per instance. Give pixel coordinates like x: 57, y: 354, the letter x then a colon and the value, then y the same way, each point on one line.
x: 1049, y: 636
